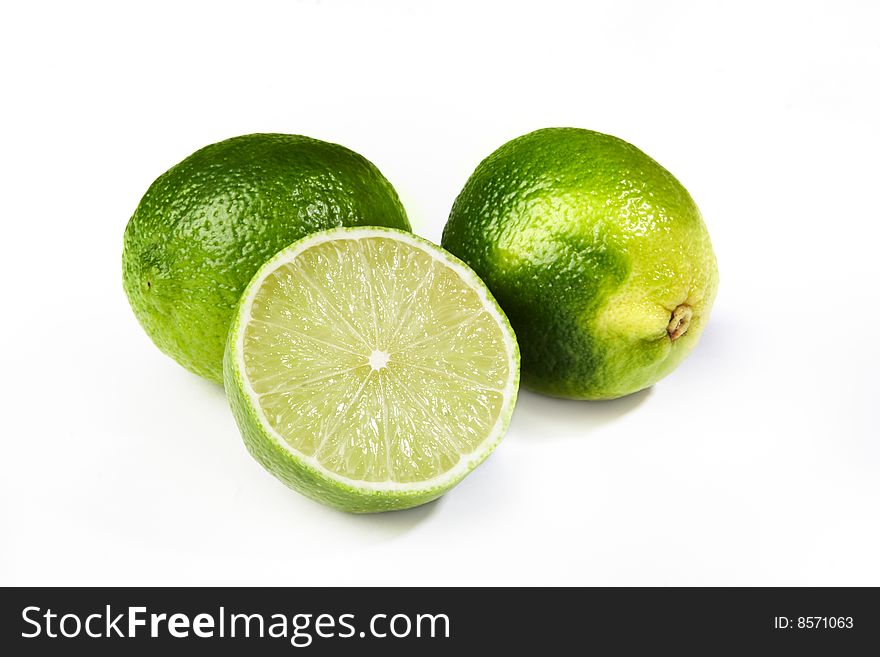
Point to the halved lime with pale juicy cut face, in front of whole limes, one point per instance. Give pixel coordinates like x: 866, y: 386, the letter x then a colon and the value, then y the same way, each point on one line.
x: 369, y: 369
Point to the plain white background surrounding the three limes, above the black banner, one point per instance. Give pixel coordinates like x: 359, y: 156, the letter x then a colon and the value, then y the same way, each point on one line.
x: 756, y: 462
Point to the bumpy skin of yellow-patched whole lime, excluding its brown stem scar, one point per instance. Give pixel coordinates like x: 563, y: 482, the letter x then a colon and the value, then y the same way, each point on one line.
x: 589, y: 246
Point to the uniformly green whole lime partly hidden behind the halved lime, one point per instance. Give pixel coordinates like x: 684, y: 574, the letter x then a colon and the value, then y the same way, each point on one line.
x: 207, y: 224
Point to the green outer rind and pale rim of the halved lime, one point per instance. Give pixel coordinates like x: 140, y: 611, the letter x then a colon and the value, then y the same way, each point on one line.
x: 294, y: 472
